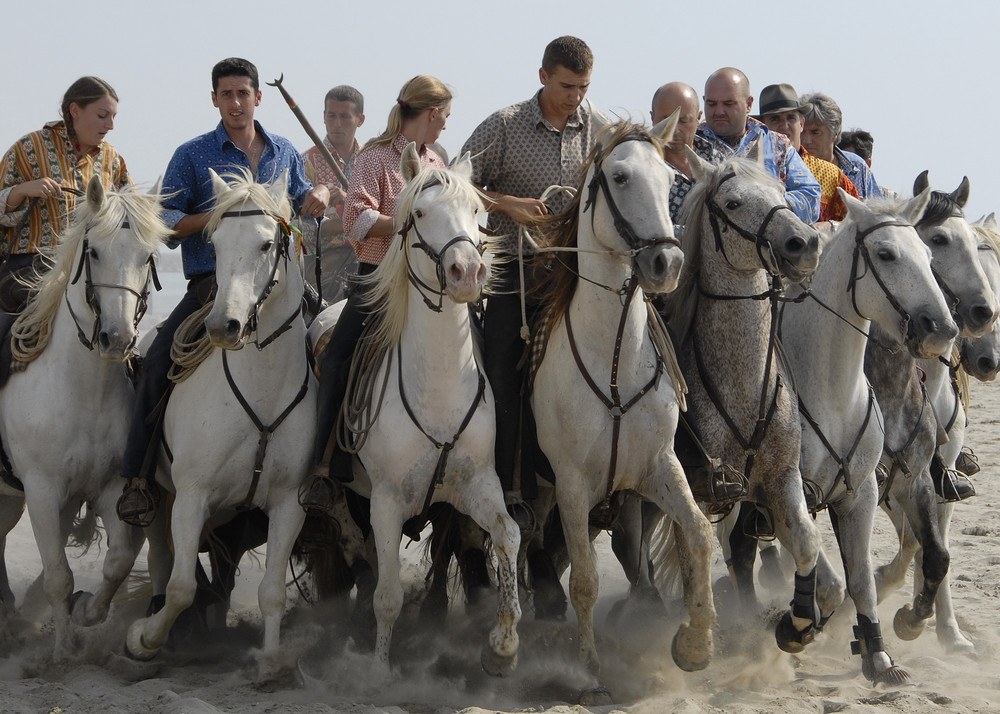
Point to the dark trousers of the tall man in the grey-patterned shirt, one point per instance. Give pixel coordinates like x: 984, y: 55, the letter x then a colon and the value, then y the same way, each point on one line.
x: 504, y: 349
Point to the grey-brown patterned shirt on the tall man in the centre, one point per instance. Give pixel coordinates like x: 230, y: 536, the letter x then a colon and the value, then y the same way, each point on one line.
x: 517, y: 152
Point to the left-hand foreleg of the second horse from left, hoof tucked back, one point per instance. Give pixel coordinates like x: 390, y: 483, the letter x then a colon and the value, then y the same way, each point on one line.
x: 148, y: 635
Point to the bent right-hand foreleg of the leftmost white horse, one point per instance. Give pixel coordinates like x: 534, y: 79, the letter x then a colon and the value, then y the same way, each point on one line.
x: 124, y: 543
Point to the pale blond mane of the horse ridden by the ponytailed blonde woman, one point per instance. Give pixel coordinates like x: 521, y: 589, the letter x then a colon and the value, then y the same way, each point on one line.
x: 389, y: 286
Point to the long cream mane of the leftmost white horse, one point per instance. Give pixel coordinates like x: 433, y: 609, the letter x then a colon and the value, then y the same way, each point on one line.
x: 46, y: 288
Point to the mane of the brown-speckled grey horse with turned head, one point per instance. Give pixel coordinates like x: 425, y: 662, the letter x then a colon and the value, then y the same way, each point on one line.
x: 682, y: 304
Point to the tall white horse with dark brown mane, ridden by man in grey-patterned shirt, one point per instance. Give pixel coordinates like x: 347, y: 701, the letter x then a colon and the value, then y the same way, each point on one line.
x: 607, y: 391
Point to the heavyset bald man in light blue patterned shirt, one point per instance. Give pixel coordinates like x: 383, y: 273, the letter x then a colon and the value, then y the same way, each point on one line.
x: 729, y: 127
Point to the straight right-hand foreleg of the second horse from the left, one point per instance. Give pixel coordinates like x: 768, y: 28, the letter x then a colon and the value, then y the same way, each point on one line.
x: 285, y: 522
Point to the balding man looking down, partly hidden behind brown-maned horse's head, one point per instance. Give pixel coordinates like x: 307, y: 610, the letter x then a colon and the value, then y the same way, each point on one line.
x: 677, y: 95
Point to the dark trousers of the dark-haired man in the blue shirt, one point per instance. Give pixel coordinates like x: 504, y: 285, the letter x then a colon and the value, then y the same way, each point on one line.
x: 153, y: 382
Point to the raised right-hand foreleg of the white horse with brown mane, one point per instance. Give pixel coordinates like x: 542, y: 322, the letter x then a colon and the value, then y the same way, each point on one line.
x: 692, y: 646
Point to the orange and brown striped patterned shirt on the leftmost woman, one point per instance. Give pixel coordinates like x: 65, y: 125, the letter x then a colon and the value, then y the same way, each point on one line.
x: 51, y: 153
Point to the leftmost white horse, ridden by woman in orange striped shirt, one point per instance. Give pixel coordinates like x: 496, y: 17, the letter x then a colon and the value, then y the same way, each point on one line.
x: 63, y: 417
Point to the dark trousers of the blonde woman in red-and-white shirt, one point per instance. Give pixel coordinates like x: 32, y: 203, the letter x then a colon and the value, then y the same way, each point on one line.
x: 335, y: 366
